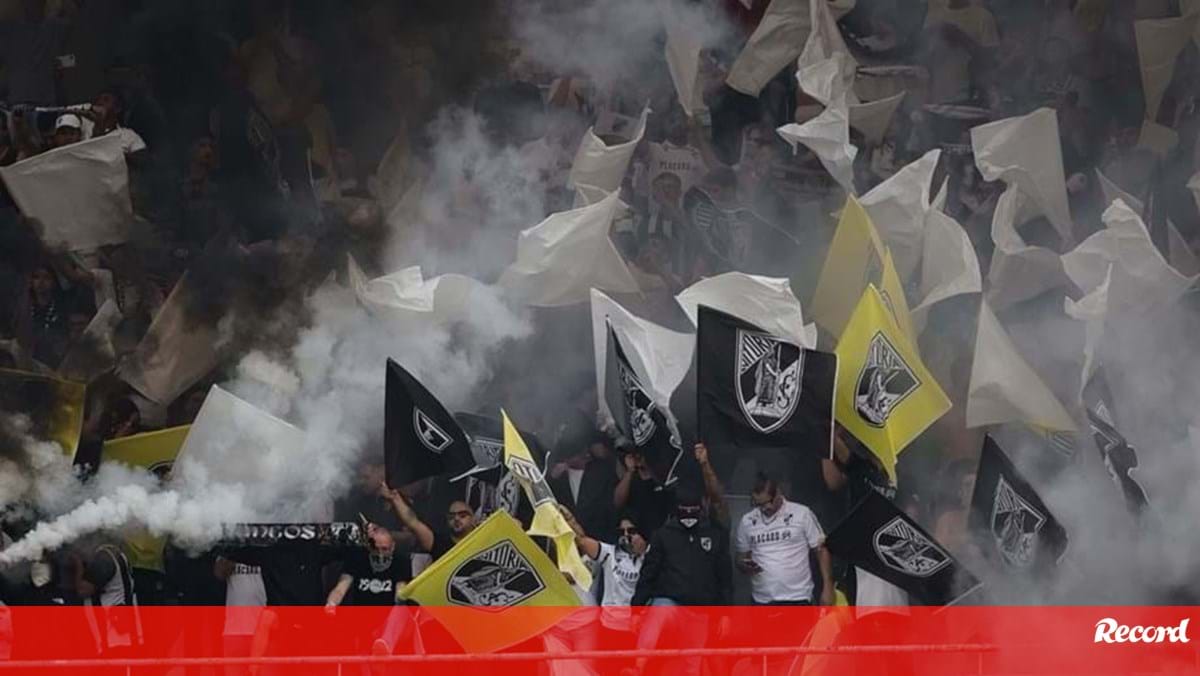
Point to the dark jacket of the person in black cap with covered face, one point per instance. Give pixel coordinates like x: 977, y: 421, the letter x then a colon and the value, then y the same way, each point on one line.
x: 691, y: 567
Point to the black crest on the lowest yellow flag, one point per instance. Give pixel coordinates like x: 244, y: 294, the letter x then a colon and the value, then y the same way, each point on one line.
x: 499, y: 577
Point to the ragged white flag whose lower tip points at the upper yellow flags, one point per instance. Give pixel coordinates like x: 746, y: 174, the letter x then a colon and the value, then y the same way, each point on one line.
x: 827, y: 135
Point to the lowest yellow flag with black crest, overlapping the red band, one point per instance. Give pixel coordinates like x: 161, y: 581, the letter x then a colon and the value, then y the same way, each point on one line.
x: 496, y: 569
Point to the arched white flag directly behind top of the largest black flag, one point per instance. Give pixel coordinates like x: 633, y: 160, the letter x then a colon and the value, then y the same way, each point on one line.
x: 767, y: 303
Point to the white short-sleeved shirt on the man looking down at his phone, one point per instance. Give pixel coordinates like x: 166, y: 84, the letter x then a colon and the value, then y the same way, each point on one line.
x: 781, y: 546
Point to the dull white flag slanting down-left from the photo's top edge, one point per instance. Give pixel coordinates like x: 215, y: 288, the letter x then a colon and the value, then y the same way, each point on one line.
x: 777, y: 41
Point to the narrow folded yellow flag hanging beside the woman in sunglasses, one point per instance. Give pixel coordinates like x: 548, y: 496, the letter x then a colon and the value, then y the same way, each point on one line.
x: 548, y: 521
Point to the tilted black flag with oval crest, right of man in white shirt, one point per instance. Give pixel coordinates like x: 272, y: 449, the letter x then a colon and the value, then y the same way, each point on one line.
x: 880, y: 539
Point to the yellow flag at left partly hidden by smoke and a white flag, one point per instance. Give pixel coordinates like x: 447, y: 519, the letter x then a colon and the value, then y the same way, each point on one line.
x: 154, y: 452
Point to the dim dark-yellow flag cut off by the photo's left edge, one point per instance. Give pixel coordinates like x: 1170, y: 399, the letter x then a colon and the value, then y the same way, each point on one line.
x: 55, y: 406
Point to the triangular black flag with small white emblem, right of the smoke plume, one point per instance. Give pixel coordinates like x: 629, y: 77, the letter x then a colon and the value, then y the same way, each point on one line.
x: 421, y: 438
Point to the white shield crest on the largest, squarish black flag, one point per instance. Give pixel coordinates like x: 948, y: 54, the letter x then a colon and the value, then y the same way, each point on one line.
x: 769, y: 380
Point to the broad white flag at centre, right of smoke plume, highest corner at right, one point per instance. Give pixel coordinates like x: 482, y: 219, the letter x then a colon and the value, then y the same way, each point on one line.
x: 563, y: 259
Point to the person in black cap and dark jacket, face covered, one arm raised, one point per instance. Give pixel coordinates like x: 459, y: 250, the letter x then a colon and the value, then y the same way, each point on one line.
x: 687, y: 565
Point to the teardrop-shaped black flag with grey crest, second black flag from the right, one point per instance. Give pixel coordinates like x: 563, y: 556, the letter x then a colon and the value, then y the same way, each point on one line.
x: 1010, y: 519
